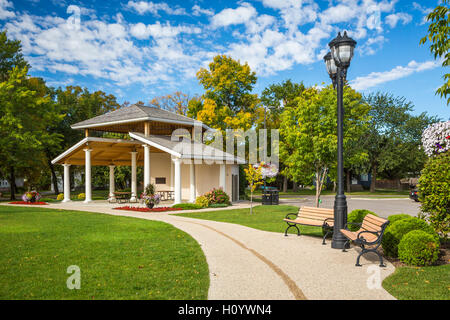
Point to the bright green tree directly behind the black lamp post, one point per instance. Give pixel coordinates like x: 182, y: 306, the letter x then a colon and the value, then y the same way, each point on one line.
x: 309, y: 133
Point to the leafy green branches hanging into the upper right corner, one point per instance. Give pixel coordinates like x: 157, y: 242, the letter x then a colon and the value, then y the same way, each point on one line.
x: 439, y: 36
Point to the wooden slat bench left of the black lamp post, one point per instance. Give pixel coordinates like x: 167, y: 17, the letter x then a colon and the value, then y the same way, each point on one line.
x: 311, y: 216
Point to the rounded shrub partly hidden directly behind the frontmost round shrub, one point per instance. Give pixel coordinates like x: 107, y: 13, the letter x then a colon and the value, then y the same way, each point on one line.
x: 394, y: 234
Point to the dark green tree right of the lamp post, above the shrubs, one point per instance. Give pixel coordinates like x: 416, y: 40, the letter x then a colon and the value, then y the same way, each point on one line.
x: 393, y: 138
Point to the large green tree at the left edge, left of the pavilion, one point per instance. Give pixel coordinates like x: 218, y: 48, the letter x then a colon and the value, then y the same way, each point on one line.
x: 25, y: 114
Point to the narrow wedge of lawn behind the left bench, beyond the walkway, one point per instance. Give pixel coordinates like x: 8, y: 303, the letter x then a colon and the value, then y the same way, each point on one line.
x: 267, y: 218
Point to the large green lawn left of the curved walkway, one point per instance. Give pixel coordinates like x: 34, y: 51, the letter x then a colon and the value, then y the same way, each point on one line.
x: 119, y: 257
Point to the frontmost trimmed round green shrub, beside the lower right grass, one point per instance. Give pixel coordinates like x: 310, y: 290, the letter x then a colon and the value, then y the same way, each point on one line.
x: 418, y: 248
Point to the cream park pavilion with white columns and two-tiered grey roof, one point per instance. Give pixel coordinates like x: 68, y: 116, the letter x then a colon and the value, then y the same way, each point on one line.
x: 162, y: 142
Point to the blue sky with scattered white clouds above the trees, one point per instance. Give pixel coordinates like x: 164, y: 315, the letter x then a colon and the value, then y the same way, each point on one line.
x: 137, y: 50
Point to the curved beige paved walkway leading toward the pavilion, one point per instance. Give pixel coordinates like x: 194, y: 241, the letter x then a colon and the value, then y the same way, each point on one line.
x: 246, y: 263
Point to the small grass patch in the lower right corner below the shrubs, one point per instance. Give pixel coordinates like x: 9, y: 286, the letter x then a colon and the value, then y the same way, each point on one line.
x: 419, y: 283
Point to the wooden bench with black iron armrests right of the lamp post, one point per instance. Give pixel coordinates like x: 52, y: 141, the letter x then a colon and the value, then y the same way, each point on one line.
x: 370, y: 234
